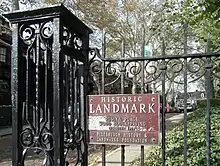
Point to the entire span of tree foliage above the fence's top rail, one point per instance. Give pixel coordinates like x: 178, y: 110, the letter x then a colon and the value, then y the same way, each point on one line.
x: 164, y: 18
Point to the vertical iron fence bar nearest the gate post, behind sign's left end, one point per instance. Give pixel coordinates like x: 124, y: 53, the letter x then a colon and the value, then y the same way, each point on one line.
x: 103, y: 88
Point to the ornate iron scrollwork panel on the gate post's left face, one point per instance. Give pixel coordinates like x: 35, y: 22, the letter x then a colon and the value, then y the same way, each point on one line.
x: 37, y: 135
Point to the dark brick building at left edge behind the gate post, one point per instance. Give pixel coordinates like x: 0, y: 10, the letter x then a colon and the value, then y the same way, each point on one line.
x: 5, y: 72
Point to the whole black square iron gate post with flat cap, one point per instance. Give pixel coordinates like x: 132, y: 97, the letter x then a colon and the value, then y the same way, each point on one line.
x: 49, y: 45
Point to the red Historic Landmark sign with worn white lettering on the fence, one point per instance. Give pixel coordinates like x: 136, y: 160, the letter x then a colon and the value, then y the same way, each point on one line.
x: 124, y: 119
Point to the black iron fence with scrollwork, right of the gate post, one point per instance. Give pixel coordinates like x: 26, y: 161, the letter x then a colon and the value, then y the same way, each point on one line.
x: 182, y: 70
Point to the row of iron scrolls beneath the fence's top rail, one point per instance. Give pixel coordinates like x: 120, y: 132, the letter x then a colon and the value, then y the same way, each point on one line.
x: 150, y: 70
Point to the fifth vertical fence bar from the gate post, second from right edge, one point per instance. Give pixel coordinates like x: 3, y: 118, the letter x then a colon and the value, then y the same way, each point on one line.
x: 185, y: 95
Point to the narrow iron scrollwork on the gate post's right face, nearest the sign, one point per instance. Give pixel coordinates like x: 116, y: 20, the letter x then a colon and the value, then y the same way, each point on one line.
x: 73, y: 132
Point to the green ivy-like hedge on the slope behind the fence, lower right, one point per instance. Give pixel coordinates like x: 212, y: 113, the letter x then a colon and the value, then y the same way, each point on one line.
x: 196, y: 142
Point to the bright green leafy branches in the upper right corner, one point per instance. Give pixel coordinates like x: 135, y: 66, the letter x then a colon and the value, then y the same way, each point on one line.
x: 202, y: 18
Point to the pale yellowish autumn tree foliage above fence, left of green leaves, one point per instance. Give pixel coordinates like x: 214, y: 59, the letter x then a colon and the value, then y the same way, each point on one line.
x: 120, y: 19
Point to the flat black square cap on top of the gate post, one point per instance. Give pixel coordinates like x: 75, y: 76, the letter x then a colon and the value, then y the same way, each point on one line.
x: 54, y: 11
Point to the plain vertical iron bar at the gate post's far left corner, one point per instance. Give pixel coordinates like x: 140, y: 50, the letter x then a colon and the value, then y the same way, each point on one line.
x: 16, y: 98
